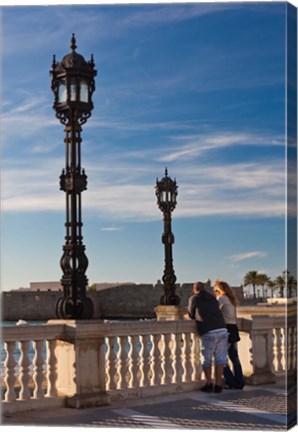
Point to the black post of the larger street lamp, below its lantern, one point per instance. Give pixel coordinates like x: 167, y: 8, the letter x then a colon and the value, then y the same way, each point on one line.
x: 74, y: 262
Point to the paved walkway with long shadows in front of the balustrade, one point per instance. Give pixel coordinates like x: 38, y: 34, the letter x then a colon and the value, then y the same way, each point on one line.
x: 253, y: 408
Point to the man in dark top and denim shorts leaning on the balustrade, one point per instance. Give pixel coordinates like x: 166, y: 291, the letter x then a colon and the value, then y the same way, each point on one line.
x: 204, y: 308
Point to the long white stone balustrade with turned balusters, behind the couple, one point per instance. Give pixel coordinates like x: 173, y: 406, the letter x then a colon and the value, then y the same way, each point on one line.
x: 83, y: 363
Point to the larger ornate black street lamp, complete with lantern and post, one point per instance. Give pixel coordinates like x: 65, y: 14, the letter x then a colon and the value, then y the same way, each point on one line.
x: 73, y: 85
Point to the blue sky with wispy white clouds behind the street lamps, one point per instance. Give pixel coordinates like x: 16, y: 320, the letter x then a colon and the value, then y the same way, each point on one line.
x: 198, y: 88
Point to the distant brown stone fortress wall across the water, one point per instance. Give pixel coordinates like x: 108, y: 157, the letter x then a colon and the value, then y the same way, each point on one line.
x: 124, y: 301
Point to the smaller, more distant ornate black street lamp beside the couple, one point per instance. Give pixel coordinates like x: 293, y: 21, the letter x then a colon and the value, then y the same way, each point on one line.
x: 166, y: 192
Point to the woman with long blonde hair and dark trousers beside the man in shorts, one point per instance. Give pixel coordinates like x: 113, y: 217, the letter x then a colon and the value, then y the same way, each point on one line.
x: 227, y: 303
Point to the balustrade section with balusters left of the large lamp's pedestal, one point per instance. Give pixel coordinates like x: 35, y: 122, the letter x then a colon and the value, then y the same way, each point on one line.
x: 30, y: 383
